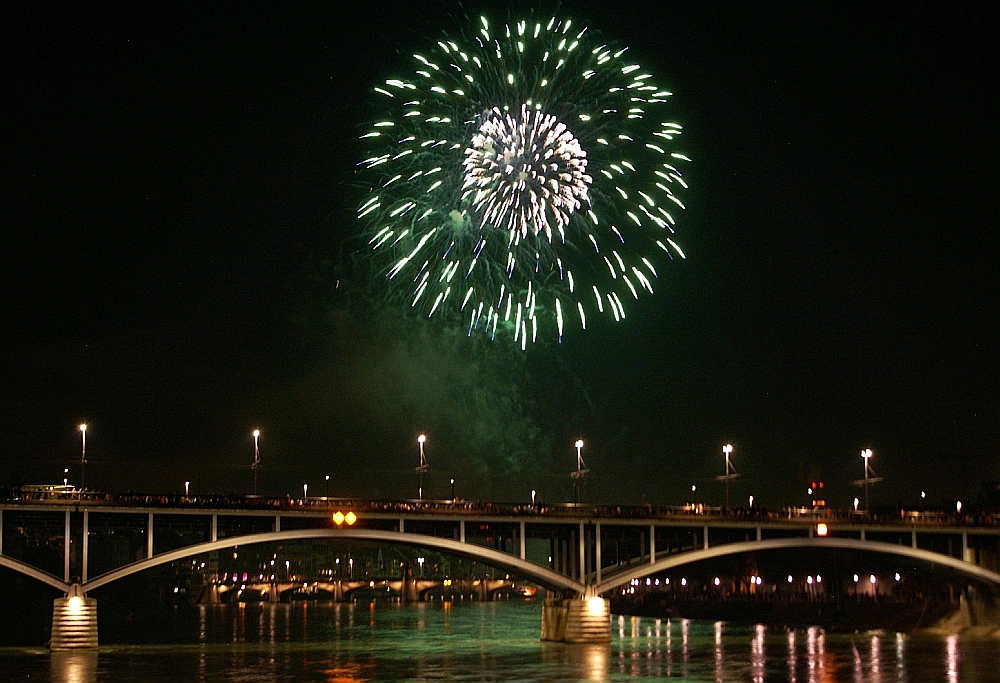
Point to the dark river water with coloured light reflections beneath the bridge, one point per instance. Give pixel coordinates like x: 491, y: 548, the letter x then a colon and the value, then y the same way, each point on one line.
x: 481, y: 642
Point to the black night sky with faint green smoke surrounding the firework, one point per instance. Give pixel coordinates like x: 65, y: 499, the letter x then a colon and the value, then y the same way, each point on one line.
x: 178, y: 206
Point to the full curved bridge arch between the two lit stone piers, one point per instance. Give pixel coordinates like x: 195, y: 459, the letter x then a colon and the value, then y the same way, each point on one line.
x: 543, y: 576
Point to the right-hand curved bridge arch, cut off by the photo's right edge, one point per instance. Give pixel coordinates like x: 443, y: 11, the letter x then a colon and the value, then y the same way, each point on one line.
x: 619, y: 579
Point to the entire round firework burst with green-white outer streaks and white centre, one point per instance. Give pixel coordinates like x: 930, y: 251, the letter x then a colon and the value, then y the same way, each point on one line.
x: 523, y: 177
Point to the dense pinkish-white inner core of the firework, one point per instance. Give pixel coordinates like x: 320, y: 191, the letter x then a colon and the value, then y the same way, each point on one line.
x: 525, y: 174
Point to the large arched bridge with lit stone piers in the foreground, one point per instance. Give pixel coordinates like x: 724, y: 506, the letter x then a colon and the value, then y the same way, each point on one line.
x: 577, y: 553
